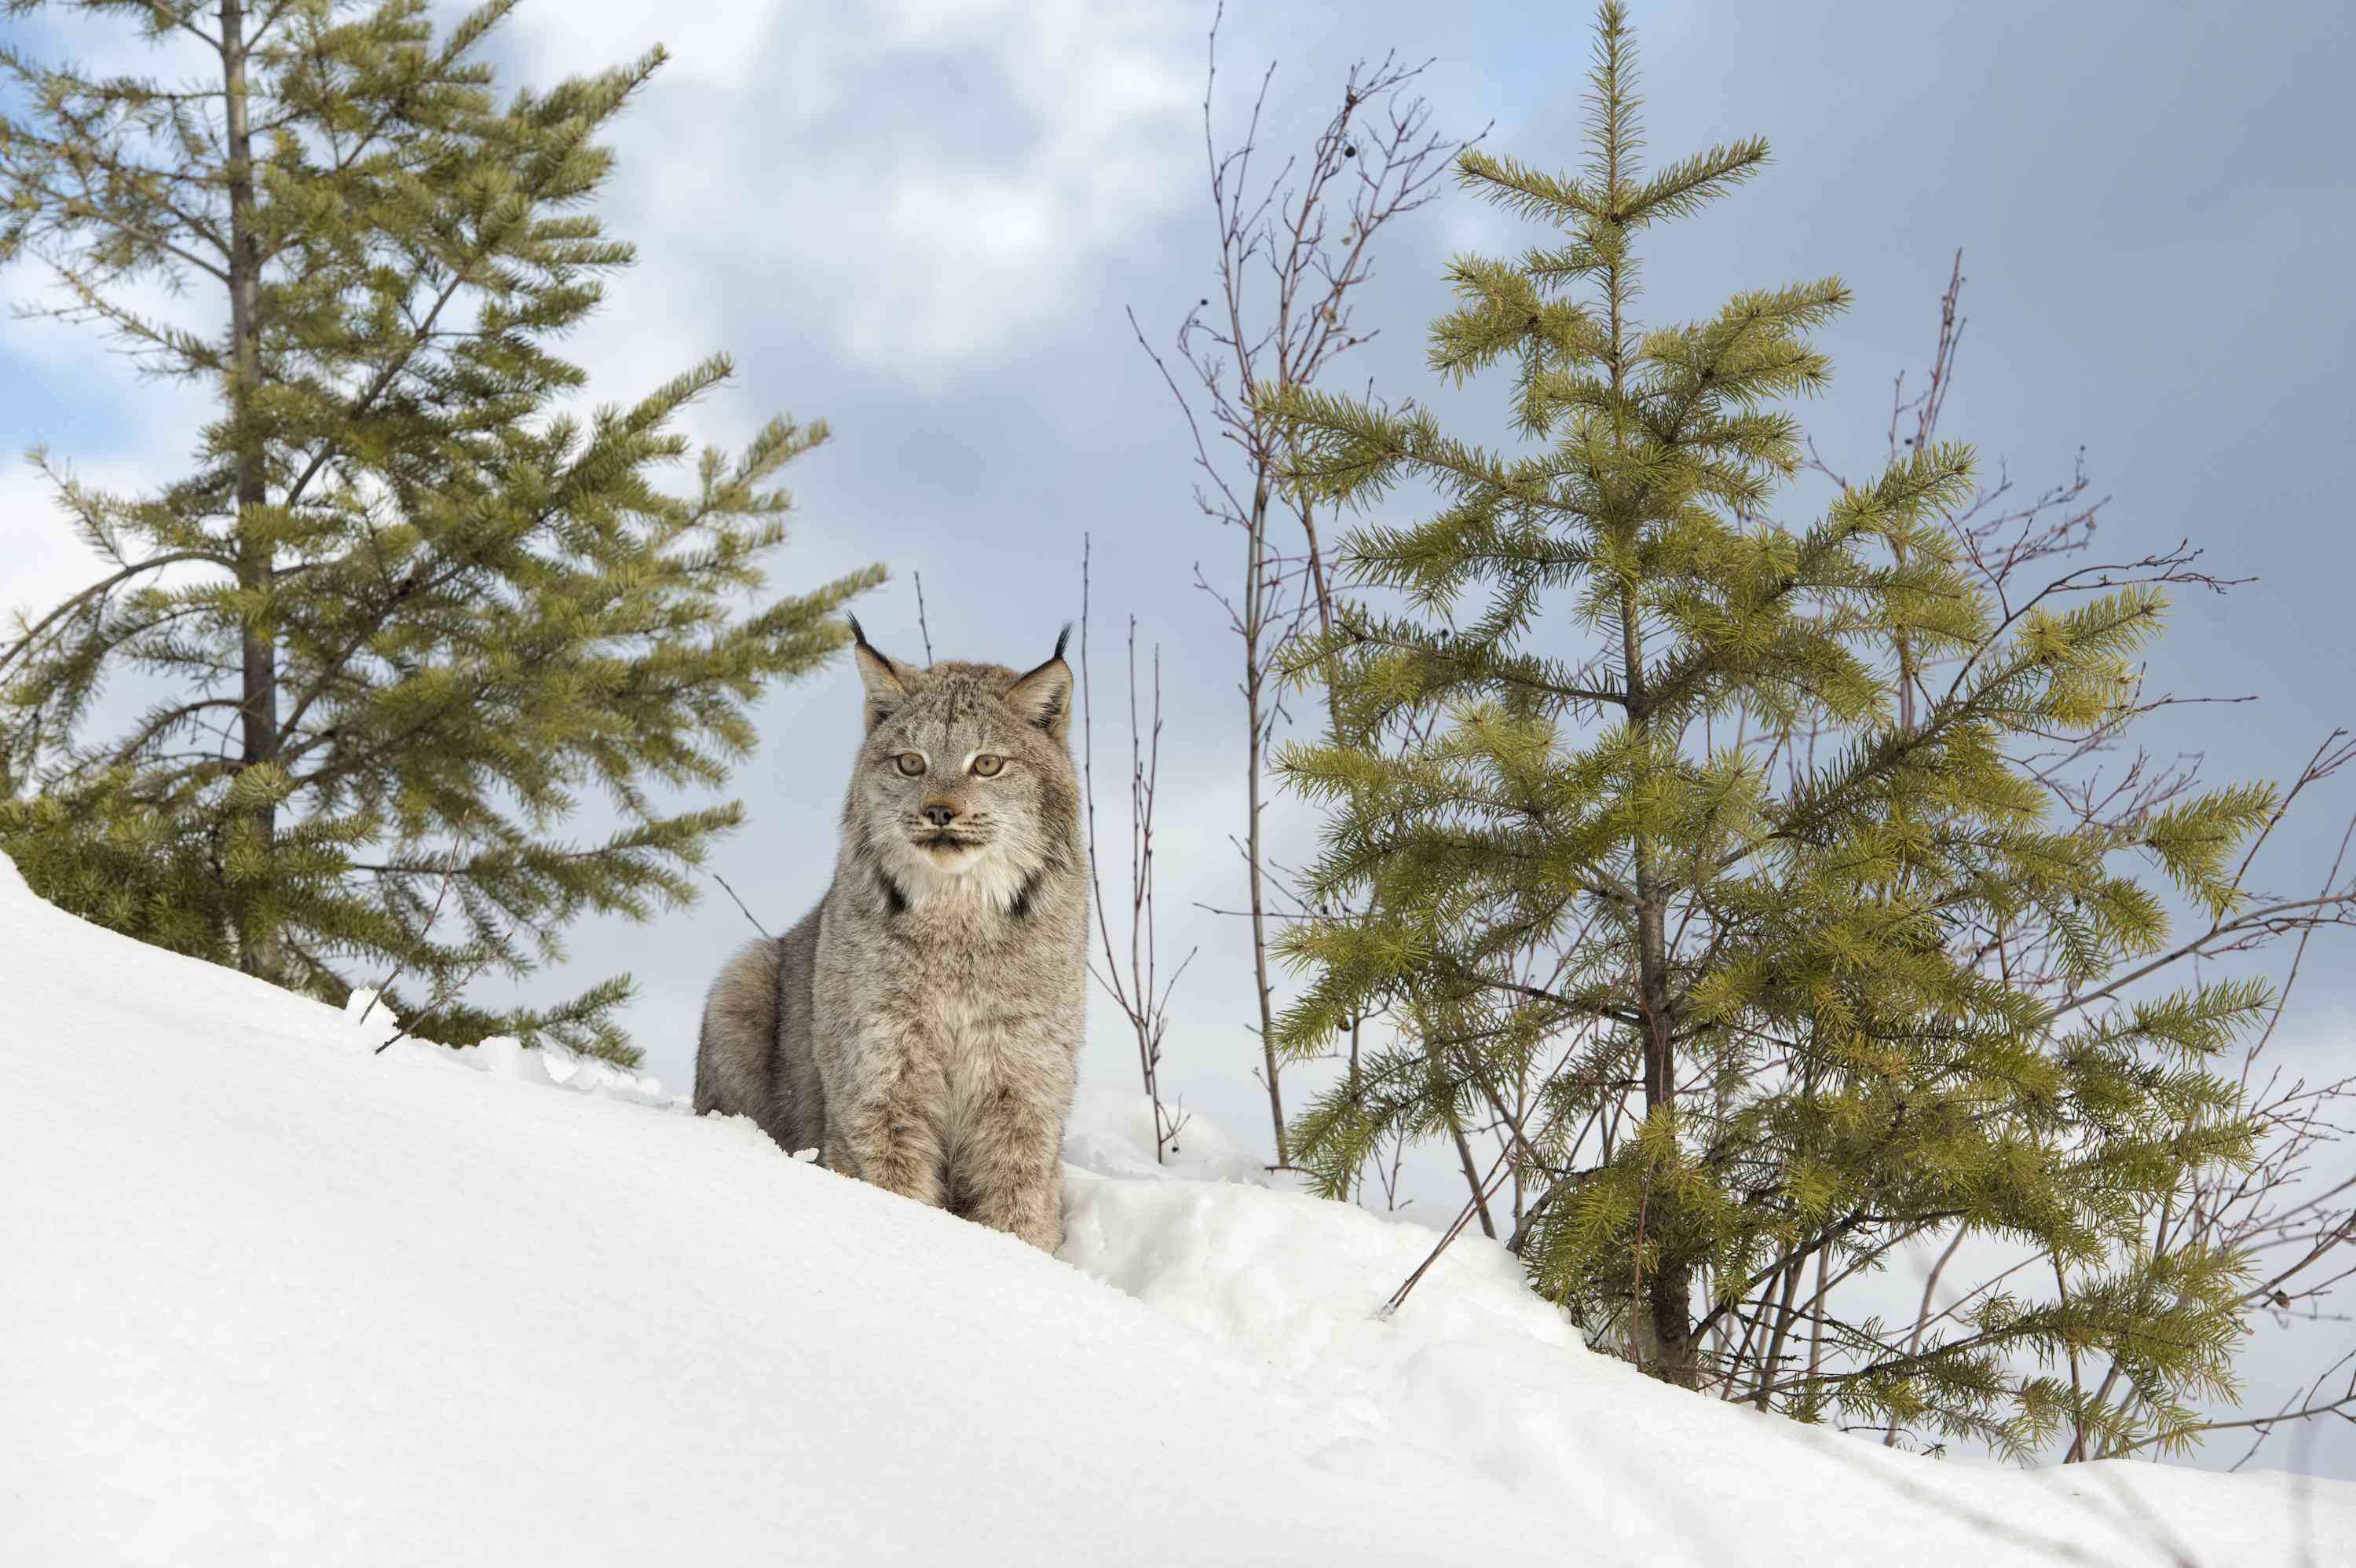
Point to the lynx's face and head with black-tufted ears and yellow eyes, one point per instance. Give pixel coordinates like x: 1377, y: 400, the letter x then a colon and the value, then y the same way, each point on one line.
x: 965, y: 783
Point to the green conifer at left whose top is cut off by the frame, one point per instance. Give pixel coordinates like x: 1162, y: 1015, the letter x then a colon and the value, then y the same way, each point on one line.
x: 404, y: 613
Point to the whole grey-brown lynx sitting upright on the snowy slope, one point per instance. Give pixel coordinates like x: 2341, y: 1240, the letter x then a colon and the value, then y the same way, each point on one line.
x: 922, y: 1025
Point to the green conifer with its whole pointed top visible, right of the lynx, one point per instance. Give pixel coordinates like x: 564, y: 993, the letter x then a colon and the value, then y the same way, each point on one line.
x: 1688, y: 905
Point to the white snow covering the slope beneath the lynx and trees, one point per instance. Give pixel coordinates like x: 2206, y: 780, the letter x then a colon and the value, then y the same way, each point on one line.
x: 270, y: 1296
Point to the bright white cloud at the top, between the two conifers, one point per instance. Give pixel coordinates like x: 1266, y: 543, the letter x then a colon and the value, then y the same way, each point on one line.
x: 927, y: 180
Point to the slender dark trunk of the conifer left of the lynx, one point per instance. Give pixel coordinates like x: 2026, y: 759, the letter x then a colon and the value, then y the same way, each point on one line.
x: 258, y: 710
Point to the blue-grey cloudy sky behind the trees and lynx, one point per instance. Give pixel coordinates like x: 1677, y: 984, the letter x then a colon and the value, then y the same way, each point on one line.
x: 925, y: 222
